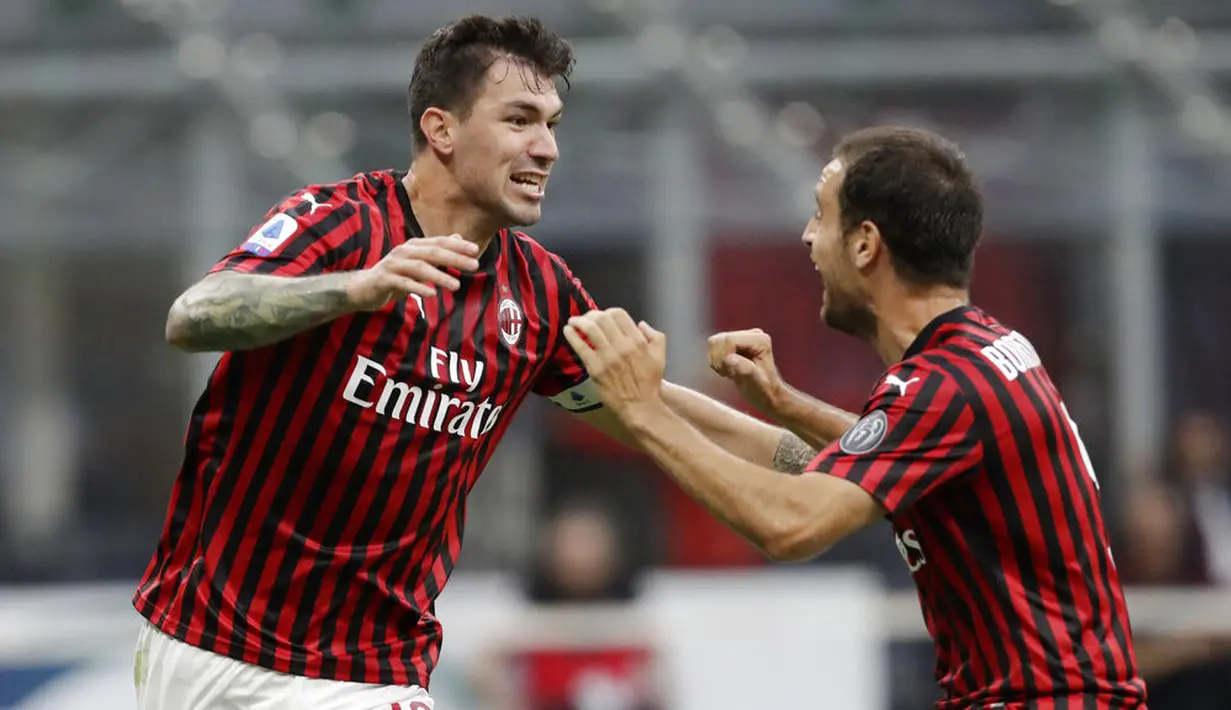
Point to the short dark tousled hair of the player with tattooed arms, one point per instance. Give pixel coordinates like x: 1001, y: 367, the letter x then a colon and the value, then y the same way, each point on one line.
x: 452, y: 63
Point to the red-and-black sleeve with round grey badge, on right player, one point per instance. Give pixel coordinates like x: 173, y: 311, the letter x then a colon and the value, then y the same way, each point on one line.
x: 916, y: 434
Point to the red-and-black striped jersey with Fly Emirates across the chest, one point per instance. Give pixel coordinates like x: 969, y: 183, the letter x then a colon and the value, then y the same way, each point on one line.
x: 319, y: 509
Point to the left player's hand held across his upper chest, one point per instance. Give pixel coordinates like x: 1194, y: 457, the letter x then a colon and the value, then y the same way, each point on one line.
x: 414, y: 268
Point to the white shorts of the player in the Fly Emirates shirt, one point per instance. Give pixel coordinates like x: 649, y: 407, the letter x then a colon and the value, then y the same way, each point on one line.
x: 172, y: 675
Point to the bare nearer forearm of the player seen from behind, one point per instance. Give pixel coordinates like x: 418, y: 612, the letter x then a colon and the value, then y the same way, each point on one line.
x: 756, y: 503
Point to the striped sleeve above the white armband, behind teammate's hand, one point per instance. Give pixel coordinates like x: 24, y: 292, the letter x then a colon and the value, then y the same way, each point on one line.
x: 564, y: 381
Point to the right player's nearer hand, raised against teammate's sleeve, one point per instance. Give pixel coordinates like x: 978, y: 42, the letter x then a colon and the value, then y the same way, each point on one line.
x: 625, y: 360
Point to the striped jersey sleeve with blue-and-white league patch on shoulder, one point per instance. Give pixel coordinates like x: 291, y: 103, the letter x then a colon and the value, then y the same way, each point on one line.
x: 312, y: 232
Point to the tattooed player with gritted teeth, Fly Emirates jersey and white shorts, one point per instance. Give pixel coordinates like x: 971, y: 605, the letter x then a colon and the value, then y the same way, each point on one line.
x: 379, y: 337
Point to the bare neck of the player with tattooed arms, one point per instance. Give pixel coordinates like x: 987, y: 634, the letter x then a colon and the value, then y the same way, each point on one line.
x: 443, y: 210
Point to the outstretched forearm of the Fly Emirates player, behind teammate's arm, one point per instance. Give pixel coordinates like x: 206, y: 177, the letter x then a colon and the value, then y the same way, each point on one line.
x: 743, y: 436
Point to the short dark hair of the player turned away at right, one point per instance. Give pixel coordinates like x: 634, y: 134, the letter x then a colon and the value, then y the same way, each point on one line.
x: 919, y: 191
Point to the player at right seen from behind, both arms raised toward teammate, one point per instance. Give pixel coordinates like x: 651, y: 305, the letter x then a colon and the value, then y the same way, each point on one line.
x: 964, y: 446
